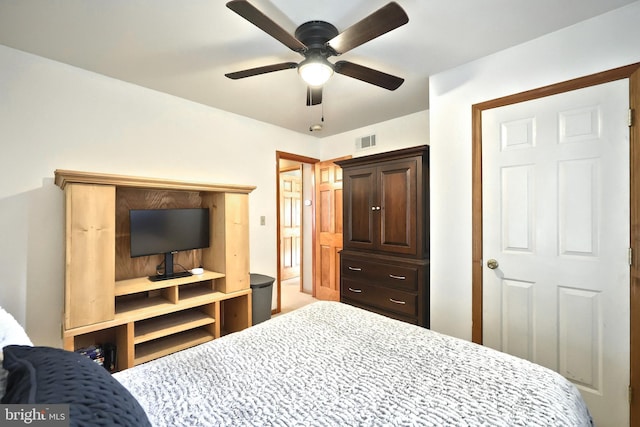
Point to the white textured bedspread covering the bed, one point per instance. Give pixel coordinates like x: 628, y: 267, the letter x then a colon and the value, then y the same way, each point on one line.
x: 330, y: 364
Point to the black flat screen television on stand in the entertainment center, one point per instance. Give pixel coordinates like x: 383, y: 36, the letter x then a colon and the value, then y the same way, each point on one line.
x: 167, y: 231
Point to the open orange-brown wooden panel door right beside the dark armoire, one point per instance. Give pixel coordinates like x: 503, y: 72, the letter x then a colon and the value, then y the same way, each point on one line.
x: 328, y: 177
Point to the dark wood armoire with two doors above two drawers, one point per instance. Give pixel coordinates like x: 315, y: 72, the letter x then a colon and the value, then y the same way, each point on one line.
x: 384, y: 264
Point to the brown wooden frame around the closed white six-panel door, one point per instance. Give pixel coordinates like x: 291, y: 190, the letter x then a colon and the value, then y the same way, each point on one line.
x: 632, y: 72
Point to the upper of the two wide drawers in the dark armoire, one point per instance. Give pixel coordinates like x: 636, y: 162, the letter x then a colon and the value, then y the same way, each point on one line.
x: 396, y: 276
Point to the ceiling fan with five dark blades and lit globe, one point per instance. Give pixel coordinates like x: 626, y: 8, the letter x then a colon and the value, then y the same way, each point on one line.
x: 319, y: 40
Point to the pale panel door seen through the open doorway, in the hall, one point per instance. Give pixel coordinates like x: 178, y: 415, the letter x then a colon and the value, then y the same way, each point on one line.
x: 290, y: 223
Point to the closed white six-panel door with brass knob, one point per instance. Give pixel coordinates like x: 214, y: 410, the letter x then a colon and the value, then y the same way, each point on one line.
x: 555, y: 178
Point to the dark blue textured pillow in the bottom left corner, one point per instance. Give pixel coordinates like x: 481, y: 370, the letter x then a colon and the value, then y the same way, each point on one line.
x: 40, y: 375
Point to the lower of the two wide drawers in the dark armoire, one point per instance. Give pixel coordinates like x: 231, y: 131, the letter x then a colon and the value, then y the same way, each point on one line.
x: 383, y: 297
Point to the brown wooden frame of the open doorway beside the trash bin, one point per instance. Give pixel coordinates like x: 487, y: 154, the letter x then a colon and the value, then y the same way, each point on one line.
x: 281, y: 155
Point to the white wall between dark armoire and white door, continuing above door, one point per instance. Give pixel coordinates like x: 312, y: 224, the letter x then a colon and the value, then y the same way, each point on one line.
x: 599, y: 44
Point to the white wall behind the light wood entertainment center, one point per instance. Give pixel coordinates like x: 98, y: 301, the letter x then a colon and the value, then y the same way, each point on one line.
x: 53, y: 116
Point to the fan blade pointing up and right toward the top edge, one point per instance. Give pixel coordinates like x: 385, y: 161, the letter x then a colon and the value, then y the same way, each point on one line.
x: 382, y: 21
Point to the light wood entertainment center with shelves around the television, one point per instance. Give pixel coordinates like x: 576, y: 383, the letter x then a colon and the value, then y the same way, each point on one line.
x: 109, y: 297
